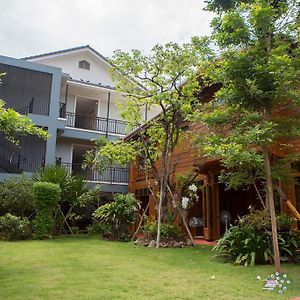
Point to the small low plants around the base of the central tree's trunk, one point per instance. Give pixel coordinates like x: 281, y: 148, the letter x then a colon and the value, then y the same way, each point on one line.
x: 167, y: 231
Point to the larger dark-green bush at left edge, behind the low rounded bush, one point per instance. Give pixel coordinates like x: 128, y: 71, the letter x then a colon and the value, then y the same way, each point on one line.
x: 16, y: 196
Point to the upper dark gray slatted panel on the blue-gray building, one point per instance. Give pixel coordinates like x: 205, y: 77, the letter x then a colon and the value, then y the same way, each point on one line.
x: 20, y: 86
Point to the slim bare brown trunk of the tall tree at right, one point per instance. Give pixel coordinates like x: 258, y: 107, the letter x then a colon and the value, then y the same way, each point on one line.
x: 270, y: 200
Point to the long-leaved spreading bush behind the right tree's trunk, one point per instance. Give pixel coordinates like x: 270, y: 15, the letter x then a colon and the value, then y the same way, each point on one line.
x: 250, y: 241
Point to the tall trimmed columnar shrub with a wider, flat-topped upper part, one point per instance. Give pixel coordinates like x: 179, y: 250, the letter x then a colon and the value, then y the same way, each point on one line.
x: 46, y: 199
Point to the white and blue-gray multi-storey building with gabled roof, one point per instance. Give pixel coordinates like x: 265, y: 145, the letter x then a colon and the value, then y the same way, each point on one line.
x: 71, y: 94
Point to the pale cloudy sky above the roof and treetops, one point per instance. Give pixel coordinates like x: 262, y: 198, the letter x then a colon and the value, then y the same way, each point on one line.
x: 38, y: 26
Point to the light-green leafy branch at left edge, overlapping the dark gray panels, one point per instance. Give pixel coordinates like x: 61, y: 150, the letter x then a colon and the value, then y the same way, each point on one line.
x: 12, y: 124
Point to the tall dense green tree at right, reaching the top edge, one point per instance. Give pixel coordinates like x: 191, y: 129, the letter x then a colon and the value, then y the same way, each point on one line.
x: 257, y: 61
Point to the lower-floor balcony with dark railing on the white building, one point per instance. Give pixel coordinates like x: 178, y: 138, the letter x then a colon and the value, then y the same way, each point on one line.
x: 109, y: 175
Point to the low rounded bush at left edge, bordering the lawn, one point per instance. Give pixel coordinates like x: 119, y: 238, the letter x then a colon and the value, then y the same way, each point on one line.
x: 14, y: 228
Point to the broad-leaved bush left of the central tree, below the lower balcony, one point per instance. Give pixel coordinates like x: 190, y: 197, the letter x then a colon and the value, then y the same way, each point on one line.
x: 117, y: 215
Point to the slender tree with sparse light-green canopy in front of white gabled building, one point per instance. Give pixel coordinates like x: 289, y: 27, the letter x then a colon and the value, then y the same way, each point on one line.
x: 164, y: 80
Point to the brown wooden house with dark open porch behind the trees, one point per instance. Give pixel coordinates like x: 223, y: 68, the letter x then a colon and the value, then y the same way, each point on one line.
x: 217, y: 206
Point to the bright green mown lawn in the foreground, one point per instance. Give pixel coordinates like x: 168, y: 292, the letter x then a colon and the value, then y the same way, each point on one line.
x: 90, y: 268
